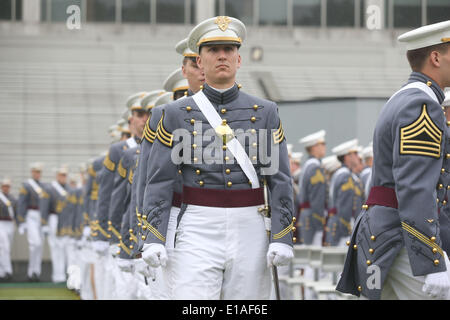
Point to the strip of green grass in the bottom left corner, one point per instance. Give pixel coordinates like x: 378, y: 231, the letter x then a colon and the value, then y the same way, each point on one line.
x: 36, y: 291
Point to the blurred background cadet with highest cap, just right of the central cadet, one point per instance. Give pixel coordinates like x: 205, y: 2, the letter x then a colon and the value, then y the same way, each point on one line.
x: 313, y: 190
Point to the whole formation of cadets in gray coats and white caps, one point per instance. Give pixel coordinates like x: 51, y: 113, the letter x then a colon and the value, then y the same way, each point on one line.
x: 199, y: 196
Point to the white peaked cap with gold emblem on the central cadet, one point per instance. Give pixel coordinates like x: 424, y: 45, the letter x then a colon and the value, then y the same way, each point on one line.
x: 217, y: 30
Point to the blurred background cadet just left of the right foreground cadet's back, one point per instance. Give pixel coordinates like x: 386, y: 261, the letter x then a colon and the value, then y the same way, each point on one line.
x: 342, y: 193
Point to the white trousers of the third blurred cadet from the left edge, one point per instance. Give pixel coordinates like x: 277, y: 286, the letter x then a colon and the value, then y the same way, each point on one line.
x: 56, y: 253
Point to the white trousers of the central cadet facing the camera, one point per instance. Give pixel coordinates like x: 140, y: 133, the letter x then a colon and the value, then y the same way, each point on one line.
x: 220, y: 253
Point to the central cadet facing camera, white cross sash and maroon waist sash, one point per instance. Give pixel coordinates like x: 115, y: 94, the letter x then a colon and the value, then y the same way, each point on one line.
x: 211, y: 261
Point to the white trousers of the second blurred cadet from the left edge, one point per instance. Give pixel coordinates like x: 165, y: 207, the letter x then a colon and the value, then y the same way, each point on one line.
x: 34, y: 237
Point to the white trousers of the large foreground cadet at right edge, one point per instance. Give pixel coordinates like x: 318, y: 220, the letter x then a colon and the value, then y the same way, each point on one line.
x: 400, y: 284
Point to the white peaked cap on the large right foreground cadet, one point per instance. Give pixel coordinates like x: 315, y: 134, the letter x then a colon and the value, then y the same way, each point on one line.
x: 426, y: 36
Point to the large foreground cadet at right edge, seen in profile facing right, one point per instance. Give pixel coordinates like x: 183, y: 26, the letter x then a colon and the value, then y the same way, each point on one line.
x: 395, y: 250
